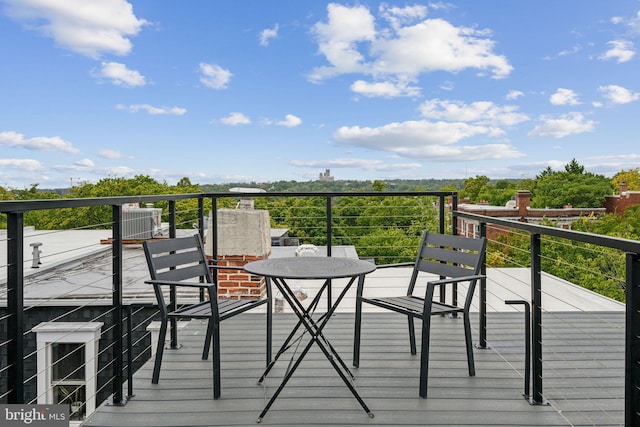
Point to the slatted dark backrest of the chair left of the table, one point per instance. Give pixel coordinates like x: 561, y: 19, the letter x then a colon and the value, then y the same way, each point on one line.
x: 177, y: 259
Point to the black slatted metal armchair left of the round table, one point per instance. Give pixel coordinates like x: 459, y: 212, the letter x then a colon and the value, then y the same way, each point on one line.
x: 181, y: 262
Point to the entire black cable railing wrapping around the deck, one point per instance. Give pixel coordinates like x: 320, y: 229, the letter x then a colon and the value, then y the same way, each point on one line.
x: 102, y: 281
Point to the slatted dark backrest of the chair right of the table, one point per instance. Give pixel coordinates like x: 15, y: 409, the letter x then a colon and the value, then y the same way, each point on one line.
x: 448, y: 256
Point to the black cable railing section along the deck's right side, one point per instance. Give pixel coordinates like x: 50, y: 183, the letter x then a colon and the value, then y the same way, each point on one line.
x: 580, y: 368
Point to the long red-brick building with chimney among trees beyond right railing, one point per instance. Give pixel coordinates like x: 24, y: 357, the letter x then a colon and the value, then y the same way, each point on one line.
x: 520, y: 209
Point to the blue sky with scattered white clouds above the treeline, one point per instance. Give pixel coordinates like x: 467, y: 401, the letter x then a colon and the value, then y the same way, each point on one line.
x: 258, y: 90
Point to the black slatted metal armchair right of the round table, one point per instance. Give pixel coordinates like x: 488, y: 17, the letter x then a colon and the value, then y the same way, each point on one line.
x: 455, y: 259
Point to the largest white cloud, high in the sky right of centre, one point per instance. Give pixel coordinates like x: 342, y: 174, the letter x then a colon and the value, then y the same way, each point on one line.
x: 352, y: 42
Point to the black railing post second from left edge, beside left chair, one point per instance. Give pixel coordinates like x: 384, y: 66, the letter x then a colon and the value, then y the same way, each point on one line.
x: 118, y: 328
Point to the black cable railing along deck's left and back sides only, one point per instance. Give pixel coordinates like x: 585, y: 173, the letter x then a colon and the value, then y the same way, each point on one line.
x: 91, y: 273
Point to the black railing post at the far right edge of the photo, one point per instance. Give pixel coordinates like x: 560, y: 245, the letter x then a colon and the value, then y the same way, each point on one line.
x: 632, y: 342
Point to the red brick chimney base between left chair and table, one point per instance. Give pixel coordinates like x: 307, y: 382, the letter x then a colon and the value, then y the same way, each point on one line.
x: 238, y: 284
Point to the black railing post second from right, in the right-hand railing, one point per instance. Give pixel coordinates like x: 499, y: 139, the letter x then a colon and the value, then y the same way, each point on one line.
x: 536, y: 319
